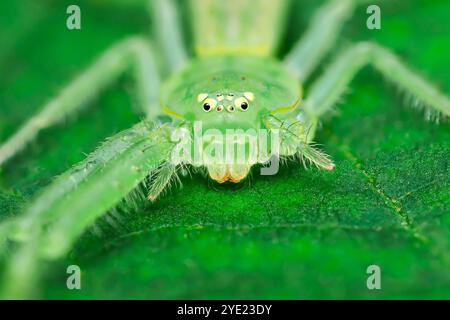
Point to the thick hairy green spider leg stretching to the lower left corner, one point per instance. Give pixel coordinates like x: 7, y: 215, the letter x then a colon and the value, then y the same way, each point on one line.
x: 62, y: 211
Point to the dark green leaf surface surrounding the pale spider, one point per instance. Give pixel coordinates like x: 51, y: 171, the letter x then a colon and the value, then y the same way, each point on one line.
x: 300, y: 234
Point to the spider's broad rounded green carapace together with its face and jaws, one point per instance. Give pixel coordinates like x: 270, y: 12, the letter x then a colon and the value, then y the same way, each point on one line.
x: 230, y: 94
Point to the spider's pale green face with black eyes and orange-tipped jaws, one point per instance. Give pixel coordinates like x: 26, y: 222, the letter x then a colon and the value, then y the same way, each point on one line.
x: 229, y: 122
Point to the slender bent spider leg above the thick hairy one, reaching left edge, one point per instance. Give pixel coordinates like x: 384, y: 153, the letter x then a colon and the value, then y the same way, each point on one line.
x: 133, y: 53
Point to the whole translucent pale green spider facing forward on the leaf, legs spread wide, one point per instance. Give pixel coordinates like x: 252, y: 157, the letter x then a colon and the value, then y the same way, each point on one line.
x: 234, y: 82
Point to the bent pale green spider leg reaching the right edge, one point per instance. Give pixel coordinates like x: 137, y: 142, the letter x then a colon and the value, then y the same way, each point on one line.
x: 327, y: 90
